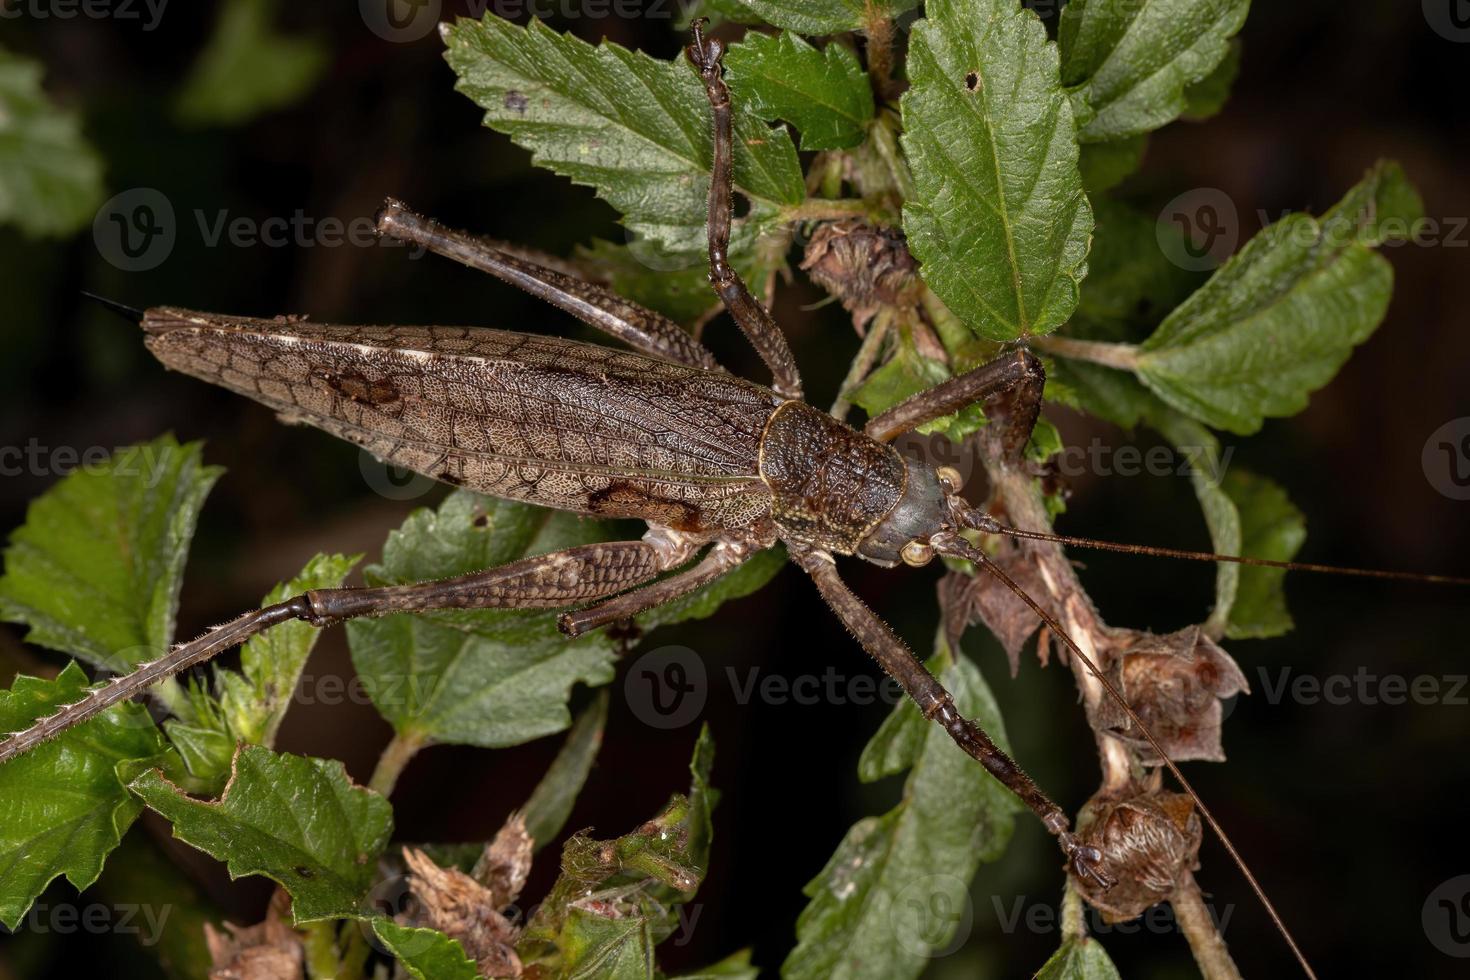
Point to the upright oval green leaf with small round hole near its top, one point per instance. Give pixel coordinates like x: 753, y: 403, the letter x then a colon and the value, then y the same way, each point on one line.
x: 999, y: 218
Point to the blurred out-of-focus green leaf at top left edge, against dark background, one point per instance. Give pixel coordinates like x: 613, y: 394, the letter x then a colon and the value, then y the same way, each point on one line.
x: 248, y: 68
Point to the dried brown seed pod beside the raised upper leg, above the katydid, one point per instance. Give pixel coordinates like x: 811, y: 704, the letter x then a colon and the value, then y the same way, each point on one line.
x: 864, y: 267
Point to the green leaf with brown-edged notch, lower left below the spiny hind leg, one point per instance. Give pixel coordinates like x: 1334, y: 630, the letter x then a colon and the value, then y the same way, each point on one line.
x: 299, y: 822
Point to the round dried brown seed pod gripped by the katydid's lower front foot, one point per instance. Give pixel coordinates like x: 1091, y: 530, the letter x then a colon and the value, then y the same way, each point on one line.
x: 1149, y: 841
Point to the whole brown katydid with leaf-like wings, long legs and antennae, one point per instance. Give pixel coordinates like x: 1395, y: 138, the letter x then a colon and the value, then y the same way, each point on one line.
x: 665, y: 436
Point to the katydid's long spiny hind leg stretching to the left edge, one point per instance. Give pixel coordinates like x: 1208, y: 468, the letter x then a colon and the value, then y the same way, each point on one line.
x: 551, y: 581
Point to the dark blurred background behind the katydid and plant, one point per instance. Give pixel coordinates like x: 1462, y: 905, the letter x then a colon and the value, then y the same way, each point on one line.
x: 1352, y: 815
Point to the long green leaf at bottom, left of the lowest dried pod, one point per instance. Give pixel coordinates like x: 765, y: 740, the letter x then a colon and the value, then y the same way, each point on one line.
x: 896, y: 890
